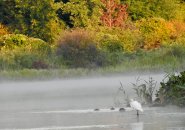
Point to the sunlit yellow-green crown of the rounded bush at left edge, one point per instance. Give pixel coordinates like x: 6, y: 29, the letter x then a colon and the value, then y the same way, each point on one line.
x: 18, y: 42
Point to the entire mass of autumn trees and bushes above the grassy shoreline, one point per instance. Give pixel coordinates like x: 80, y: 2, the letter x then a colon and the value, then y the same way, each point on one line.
x: 45, y: 33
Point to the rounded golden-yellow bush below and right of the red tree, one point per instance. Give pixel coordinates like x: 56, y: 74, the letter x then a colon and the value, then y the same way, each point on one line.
x: 154, y: 31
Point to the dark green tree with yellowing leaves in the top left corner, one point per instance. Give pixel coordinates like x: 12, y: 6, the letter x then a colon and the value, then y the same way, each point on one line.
x: 36, y: 18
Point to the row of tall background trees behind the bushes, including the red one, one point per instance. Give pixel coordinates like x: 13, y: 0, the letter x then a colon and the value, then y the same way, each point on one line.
x: 46, y: 18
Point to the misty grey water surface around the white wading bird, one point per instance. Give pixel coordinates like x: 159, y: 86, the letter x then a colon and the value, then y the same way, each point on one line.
x: 69, y: 104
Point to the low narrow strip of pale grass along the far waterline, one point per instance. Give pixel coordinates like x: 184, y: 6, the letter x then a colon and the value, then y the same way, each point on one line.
x: 52, y: 74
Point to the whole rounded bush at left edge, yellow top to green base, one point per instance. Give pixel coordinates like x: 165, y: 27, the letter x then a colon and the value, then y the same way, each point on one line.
x: 19, y: 51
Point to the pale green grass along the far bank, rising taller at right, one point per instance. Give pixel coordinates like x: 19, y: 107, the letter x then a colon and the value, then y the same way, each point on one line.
x: 166, y: 59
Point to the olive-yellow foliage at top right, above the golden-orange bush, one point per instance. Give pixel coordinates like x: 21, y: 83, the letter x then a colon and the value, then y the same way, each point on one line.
x: 166, y: 9
